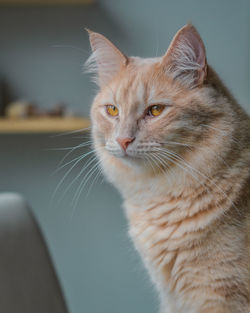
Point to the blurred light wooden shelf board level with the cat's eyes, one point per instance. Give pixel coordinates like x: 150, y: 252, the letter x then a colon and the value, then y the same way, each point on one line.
x: 42, y: 125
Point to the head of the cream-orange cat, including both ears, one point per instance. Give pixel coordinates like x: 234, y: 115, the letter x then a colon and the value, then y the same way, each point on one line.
x: 149, y: 113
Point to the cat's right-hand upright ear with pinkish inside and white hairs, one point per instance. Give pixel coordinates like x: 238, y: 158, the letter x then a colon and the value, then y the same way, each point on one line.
x: 185, y: 59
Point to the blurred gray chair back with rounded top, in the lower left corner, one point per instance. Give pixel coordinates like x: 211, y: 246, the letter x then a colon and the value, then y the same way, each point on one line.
x: 28, y: 283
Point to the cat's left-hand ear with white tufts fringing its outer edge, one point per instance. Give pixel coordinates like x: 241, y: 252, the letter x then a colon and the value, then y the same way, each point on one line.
x: 106, y: 60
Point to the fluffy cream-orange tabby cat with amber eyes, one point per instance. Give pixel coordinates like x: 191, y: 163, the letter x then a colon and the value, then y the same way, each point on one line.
x: 176, y: 144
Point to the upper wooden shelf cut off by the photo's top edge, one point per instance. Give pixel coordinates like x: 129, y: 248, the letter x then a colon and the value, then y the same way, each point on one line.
x: 44, y: 2
